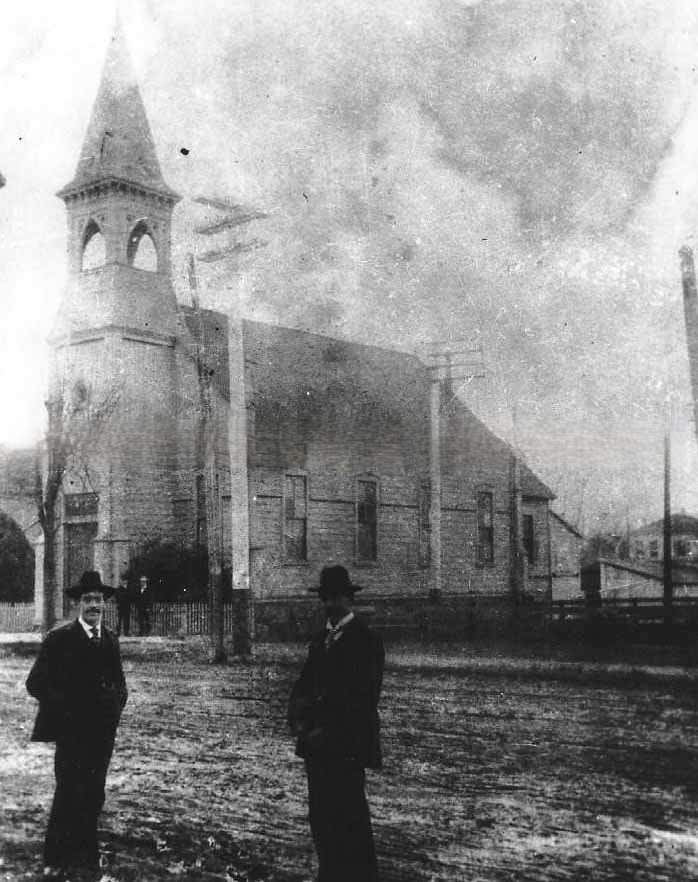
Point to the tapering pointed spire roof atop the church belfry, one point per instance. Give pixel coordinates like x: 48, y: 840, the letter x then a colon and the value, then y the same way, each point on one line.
x: 118, y: 144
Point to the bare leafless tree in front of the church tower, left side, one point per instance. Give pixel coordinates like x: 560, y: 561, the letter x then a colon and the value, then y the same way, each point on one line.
x: 73, y: 428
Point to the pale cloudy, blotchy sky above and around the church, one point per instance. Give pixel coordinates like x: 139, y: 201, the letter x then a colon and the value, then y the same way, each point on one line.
x: 516, y: 174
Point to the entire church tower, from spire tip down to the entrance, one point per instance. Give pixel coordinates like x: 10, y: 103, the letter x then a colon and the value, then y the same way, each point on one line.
x: 115, y: 335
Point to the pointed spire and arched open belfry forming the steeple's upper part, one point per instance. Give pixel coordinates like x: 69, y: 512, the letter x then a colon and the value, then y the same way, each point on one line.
x: 119, y: 212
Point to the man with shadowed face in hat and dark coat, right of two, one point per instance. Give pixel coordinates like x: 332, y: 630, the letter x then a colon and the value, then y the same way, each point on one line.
x: 333, y: 710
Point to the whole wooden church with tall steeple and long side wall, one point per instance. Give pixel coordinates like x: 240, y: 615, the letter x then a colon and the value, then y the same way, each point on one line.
x: 321, y: 450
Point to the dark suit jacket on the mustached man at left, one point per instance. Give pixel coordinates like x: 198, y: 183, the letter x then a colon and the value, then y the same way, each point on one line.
x: 80, y: 687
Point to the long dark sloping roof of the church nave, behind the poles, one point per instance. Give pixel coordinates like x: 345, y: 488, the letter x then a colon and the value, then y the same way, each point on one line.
x: 305, y: 373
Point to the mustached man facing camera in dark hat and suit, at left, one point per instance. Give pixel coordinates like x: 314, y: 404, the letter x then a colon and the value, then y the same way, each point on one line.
x: 79, y: 682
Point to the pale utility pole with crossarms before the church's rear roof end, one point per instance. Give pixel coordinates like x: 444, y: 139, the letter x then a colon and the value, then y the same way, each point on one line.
x: 441, y: 394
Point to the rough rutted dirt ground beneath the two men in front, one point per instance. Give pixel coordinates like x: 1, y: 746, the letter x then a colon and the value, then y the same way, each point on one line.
x: 495, y: 769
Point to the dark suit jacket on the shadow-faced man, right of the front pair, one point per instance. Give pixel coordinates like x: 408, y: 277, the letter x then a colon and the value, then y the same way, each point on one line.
x: 337, y: 693
